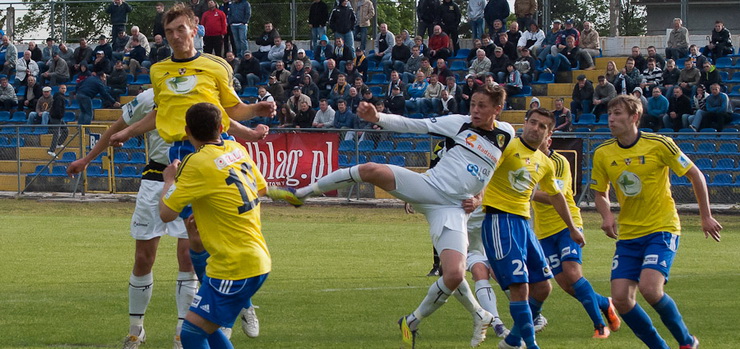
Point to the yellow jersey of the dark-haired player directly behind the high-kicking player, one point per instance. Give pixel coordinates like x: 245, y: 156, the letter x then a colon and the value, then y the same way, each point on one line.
x: 520, y: 169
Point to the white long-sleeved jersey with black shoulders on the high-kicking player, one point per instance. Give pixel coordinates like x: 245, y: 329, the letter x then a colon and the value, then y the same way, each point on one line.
x: 471, y: 153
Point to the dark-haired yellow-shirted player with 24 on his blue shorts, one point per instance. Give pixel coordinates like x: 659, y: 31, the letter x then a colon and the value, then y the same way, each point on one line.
x: 513, y: 251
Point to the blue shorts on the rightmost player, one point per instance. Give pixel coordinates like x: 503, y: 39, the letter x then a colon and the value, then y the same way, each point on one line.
x: 654, y: 251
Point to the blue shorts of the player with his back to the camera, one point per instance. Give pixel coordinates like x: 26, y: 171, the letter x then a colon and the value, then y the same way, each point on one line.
x: 220, y: 301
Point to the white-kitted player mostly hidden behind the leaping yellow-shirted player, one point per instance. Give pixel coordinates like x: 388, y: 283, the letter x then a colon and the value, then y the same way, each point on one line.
x: 146, y: 226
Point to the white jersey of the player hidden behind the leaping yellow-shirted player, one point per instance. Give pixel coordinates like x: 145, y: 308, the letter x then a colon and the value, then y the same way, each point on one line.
x: 136, y: 110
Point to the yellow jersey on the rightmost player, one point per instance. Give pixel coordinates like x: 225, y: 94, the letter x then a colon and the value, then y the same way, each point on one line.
x: 639, y: 173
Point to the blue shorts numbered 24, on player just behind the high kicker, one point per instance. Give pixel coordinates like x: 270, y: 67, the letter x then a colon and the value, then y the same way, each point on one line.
x: 513, y: 251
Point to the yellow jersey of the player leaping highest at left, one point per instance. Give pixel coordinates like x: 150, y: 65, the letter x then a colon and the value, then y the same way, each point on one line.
x: 178, y: 84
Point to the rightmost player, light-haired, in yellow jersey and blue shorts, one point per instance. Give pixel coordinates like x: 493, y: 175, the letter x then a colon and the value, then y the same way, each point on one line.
x: 637, y: 163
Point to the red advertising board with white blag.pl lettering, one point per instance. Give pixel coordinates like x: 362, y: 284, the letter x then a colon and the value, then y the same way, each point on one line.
x: 295, y: 159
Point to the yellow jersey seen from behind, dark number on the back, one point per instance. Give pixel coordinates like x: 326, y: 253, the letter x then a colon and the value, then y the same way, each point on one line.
x: 222, y: 183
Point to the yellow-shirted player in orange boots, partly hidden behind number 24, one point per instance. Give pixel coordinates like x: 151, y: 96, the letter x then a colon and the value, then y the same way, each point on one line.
x: 564, y: 254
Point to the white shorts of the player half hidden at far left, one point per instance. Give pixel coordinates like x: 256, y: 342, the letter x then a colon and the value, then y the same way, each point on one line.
x: 145, y: 223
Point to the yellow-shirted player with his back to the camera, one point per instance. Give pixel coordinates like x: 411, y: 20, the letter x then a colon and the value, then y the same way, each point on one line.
x: 223, y: 184
